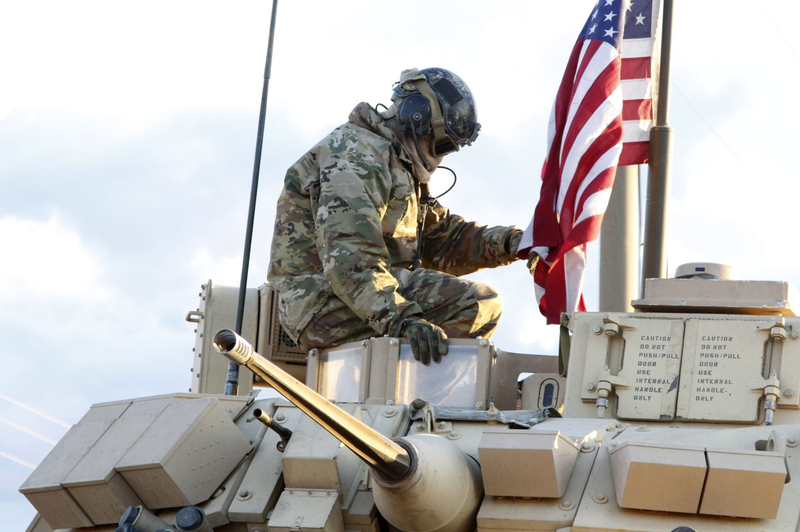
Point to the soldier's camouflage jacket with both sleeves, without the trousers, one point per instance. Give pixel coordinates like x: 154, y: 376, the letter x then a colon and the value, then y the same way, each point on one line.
x: 346, y: 226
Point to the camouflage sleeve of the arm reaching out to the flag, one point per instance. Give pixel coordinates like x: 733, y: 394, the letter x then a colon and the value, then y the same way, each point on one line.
x: 458, y: 247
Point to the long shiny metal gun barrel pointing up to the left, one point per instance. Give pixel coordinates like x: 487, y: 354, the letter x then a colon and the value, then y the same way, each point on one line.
x: 378, y: 451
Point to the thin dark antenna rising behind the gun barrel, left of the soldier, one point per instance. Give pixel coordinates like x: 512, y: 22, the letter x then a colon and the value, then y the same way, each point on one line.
x: 232, y: 384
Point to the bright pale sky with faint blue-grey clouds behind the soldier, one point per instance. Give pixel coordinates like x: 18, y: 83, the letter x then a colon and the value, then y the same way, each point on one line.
x: 127, y: 138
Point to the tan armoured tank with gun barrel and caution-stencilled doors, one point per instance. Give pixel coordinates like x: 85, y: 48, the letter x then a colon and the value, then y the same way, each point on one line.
x: 682, y: 415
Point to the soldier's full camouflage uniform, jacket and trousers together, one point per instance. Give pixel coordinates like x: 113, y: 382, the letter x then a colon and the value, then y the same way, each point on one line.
x: 346, y: 235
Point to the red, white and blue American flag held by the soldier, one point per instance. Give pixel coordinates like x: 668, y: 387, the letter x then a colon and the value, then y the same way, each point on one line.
x: 601, y: 118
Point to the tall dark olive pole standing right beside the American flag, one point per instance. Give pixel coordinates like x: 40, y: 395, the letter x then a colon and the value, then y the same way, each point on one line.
x: 654, y: 256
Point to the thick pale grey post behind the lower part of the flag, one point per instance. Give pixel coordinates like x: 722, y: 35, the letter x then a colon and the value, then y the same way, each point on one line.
x: 619, y: 243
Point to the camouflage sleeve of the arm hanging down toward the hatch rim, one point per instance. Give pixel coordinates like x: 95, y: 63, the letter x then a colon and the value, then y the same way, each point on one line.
x: 355, y: 186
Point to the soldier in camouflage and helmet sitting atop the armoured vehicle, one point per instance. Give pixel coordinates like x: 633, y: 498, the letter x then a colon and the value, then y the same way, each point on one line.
x: 360, y: 247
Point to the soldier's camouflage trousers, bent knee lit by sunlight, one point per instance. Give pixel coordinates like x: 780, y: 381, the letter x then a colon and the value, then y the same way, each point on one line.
x: 463, y: 308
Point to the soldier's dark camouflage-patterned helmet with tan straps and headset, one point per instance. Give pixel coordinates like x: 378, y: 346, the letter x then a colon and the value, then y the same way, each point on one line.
x: 456, y: 106
